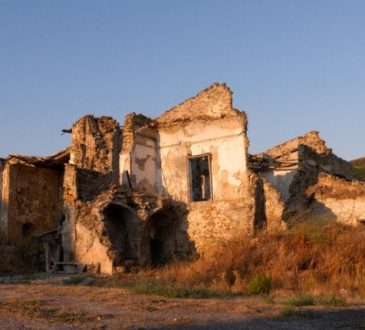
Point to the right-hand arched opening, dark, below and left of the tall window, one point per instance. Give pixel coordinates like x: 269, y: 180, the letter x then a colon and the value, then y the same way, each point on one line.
x: 162, y: 237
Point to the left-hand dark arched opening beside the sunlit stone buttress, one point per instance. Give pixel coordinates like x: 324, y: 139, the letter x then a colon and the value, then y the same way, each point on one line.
x: 121, y: 225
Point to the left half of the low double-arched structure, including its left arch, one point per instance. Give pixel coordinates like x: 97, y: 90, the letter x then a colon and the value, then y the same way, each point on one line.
x: 99, y: 240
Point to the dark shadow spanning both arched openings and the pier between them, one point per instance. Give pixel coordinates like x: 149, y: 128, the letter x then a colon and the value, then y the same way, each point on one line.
x: 160, y: 239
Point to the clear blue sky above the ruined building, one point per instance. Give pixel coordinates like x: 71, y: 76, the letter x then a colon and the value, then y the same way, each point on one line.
x: 292, y: 65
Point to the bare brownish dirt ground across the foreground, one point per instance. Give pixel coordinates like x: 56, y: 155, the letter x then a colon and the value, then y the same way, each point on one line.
x: 54, y: 306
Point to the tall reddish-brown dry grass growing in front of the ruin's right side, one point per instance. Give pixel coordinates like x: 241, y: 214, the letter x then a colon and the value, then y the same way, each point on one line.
x: 311, y: 257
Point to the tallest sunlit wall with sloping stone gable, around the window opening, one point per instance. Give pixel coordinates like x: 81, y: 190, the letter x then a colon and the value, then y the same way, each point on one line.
x: 207, y: 124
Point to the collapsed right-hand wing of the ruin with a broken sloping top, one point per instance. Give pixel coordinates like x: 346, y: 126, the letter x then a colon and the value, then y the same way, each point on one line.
x: 313, y: 183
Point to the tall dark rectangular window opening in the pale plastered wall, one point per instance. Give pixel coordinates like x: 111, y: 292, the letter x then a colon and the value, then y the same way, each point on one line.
x: 200, y: 175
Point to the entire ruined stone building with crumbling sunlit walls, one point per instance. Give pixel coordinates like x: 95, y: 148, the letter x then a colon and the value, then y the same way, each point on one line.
x: 155, y: 190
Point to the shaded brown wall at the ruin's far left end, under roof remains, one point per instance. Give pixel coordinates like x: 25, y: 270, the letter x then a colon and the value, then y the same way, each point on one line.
x: 34, y: 201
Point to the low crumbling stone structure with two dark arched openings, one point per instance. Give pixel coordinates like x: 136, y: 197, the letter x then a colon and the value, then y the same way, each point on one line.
x: 114, y: 231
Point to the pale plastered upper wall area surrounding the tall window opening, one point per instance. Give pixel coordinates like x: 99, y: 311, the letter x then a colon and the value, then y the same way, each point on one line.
x: 223, y: 139
